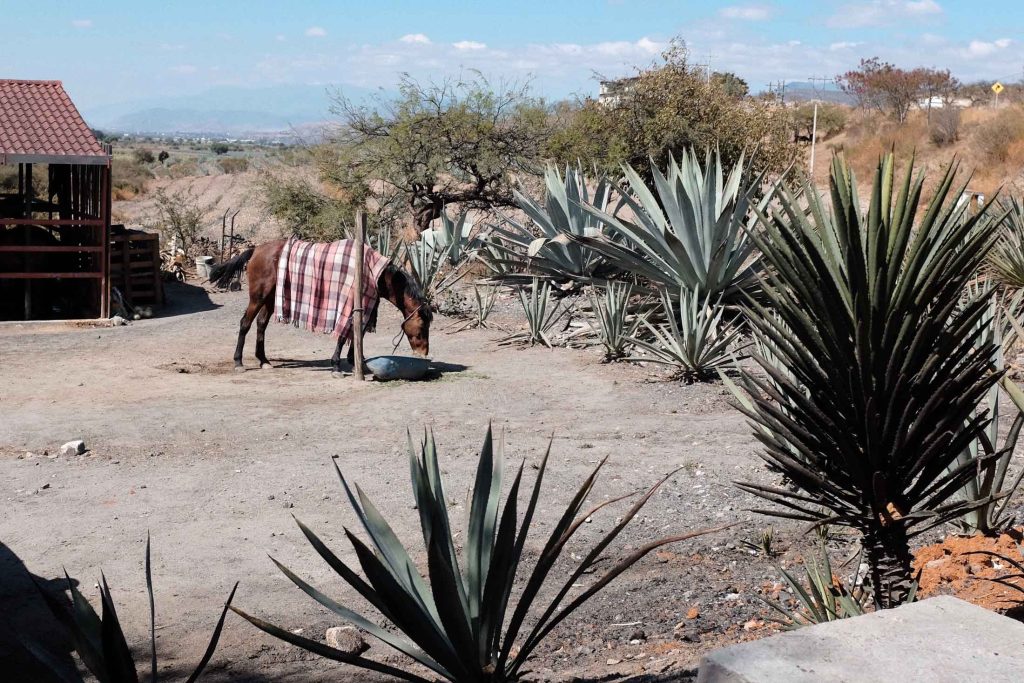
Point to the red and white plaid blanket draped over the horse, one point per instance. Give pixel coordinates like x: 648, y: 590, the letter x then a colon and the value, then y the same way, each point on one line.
x: 317, y: 285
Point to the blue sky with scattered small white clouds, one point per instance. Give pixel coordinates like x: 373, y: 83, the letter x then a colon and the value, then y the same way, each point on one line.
x: 117, y: 51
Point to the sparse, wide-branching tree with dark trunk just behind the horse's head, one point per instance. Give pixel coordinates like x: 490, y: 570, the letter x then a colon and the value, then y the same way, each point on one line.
x: 435, y: 145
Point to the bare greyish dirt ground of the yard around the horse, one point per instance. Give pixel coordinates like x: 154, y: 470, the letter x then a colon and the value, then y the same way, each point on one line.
x: 215, y: 464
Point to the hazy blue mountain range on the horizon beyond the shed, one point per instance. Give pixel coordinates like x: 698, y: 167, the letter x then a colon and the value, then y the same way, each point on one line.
x: 227, y: 111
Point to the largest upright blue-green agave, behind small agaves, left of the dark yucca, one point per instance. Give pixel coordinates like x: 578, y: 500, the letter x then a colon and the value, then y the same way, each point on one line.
x: 692, y: 234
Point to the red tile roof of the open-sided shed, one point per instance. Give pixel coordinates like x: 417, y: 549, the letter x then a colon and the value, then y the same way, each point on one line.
x: 39, y: 121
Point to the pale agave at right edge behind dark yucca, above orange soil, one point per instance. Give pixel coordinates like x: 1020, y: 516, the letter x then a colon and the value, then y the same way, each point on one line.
x: 990, y: 485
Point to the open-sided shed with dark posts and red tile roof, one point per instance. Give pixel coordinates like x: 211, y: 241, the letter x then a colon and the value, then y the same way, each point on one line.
x: 55, y: 207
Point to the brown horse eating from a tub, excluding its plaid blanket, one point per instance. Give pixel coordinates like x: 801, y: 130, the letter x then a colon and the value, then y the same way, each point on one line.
x: 394, y: 285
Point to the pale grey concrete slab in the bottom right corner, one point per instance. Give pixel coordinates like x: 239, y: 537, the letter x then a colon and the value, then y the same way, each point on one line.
x: 940, y: 641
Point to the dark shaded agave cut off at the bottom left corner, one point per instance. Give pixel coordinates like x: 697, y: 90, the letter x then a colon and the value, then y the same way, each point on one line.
x: 100, y: 642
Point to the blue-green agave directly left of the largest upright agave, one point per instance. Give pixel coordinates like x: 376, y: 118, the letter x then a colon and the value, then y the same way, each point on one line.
x: 522, y: 252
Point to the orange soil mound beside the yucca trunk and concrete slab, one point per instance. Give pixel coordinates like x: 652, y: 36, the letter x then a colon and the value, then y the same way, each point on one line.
x: 949, y: 569
